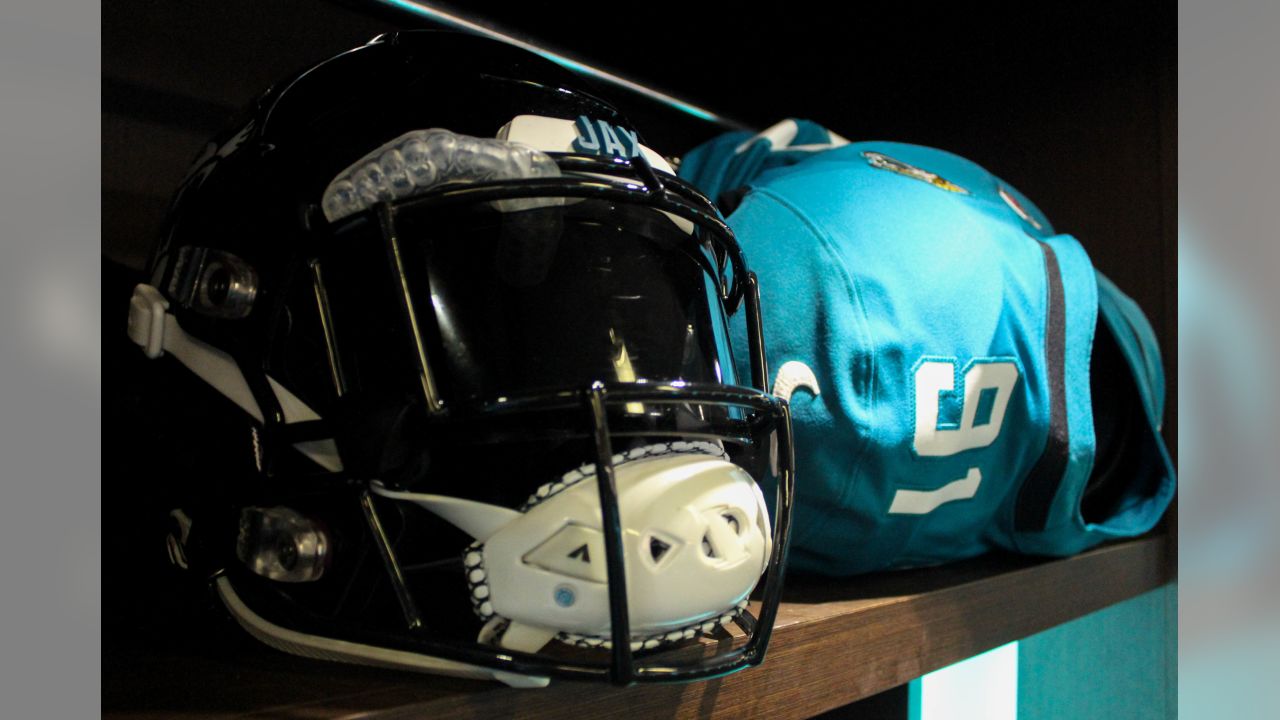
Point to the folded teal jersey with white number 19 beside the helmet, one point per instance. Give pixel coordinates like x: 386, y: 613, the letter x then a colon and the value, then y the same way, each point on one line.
x: 934, y: 335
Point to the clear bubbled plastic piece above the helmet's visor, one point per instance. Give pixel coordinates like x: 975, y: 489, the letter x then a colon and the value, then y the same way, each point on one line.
x: 424, y: 160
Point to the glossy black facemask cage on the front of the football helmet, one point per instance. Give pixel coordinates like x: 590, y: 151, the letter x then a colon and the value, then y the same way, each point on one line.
x: 591, y: 399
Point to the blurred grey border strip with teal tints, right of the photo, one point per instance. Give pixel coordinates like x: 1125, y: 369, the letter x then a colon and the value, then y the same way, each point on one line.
x: 1229, y: 254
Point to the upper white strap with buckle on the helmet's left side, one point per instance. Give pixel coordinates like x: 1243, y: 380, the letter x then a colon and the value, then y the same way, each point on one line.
x: 157, y: 331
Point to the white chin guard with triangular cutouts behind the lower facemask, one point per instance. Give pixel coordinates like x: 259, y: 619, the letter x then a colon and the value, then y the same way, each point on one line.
x: 696, y: 540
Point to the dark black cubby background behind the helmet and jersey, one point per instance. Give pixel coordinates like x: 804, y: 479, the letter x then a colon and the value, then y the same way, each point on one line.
x: 1072, y: 104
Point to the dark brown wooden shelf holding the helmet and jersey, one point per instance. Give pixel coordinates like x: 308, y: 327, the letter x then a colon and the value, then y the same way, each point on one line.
x: 835, y: 642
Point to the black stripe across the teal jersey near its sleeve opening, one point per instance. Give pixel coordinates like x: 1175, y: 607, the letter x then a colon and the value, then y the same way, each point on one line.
x: 1036, y: 496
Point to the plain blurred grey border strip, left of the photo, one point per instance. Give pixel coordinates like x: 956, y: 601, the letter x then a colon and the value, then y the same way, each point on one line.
x: 51, y: 491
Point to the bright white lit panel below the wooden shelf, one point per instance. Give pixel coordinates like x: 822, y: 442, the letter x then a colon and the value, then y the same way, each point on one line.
x: 984, y: 687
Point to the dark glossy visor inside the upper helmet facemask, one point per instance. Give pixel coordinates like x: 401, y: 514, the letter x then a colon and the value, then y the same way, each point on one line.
x: 534, y: 300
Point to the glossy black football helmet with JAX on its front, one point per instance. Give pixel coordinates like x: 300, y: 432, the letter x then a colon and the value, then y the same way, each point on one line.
x: 467, y: 395
